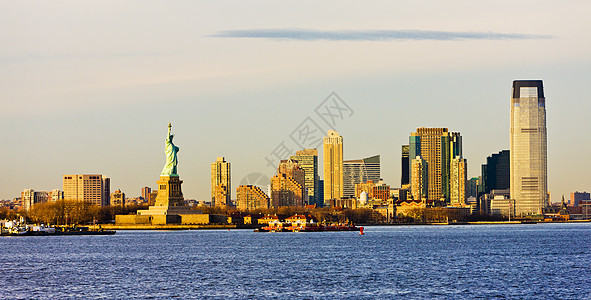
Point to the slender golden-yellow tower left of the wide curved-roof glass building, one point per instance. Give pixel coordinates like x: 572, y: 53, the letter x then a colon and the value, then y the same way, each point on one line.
x: 333, y: 167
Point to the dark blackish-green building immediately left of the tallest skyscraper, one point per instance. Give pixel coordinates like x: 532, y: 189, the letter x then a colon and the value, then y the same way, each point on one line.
x: 496, y: 172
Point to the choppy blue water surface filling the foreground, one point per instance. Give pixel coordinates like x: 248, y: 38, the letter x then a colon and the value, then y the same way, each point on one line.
x: 498, y: 261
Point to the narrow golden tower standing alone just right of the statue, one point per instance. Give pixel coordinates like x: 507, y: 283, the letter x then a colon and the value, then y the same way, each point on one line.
x: 221, y: 191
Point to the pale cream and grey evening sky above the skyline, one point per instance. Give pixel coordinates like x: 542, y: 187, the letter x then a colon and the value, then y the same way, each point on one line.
x: 90, y: 87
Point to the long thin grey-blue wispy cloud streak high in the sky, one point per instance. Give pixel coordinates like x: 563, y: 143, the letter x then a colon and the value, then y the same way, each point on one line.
x: 371, y: 35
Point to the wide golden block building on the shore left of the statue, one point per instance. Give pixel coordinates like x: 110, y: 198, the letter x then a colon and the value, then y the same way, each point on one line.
x: 93, y: 188
